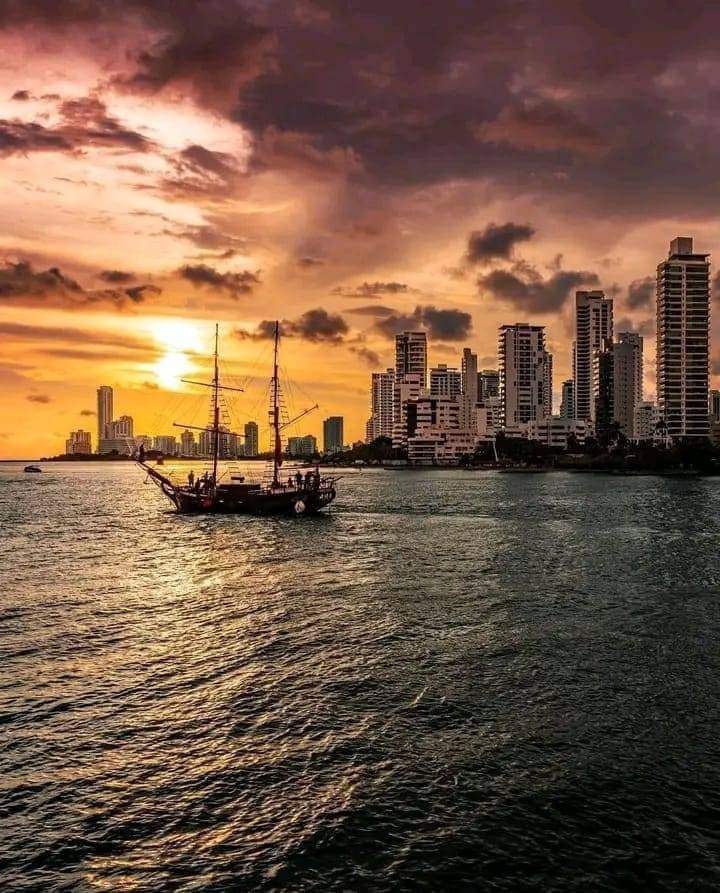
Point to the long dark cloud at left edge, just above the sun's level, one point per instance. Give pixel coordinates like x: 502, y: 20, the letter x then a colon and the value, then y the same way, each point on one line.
x: 21, y: 284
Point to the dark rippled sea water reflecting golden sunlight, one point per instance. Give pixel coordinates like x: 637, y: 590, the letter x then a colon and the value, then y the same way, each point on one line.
x: 455, y: 680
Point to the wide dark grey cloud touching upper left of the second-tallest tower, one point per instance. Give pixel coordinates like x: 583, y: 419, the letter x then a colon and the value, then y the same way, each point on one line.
x: 535, y: 294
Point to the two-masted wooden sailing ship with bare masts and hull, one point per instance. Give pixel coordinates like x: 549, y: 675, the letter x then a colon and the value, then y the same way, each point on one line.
x: 299, y: 495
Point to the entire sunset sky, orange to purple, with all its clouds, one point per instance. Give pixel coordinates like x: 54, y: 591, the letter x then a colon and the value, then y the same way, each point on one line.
x: 350, y: 168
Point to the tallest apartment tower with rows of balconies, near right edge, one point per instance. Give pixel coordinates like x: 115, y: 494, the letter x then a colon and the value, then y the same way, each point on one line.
x: 683, y: 340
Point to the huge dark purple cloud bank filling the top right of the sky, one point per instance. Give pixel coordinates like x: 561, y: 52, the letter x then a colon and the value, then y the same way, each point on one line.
x: 594, y: 107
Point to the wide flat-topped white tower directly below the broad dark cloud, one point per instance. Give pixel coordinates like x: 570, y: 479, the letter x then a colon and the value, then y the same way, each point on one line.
x: 525, y: 374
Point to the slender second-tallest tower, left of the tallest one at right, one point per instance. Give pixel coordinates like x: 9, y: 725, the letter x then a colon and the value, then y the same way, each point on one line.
x: 593, y: 326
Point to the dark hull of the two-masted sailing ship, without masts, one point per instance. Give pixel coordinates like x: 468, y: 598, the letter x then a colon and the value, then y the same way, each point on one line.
x: 246, y: 499
